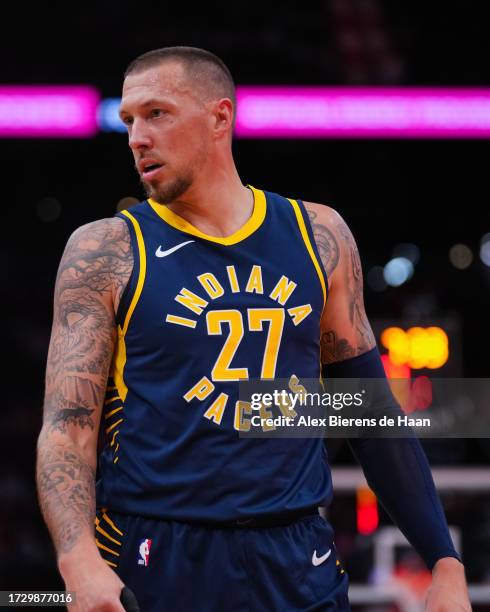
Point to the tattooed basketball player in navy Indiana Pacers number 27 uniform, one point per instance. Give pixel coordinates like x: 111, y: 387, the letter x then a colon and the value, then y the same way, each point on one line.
x: 158, y: 313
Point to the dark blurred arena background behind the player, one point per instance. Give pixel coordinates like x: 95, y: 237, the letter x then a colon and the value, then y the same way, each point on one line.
x: 418, y: 207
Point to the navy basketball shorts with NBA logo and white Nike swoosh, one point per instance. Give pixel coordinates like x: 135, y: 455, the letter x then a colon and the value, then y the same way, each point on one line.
x: 180, y: 567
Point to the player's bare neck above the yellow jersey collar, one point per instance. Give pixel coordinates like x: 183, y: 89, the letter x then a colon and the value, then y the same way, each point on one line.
x: 219, y: 205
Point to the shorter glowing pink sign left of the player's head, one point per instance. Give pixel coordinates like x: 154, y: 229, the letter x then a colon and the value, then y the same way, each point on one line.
x: 48, y: 111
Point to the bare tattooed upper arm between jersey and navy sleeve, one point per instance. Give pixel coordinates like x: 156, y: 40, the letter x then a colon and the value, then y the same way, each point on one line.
x: 345, y: 329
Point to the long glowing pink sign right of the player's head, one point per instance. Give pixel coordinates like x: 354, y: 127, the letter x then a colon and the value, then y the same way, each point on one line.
x: 362, y: 112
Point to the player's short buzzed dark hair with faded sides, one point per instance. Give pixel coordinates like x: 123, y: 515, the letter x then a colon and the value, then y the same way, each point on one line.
x: 204, y: 69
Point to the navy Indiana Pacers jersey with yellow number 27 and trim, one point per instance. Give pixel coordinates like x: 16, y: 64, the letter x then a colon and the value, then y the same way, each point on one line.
x: 199, y: 314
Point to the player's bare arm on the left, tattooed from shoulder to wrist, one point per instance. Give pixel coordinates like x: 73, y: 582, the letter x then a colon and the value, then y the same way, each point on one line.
x: 93, y: 272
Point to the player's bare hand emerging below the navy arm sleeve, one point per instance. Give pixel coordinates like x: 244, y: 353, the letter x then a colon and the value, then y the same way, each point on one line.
x: 448, y: 592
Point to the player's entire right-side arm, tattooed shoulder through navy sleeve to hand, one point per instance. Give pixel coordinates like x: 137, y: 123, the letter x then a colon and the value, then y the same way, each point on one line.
x: 346, y: 333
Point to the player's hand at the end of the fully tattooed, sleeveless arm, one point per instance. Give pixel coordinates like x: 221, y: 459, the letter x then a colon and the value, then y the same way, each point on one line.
x: 96, y: 587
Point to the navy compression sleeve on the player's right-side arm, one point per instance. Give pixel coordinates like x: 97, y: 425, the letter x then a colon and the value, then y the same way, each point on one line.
x: 398, y: 472
